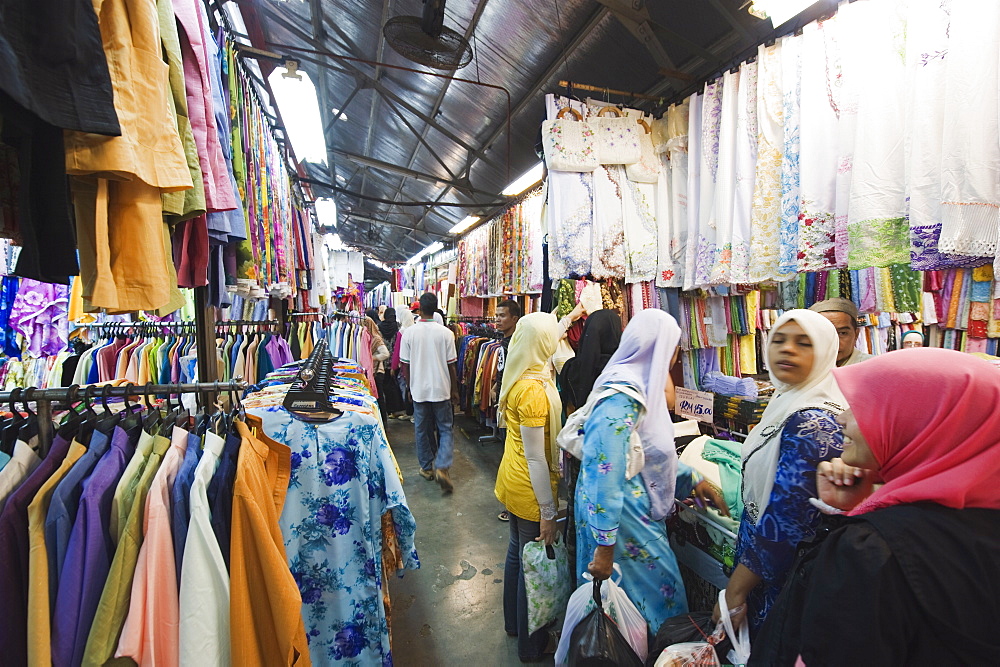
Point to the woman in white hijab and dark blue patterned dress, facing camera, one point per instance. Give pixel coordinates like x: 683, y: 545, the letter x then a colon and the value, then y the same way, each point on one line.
x: 796, y: 432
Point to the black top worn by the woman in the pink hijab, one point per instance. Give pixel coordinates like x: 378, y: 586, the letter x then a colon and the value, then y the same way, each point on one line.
x: 907, y: 585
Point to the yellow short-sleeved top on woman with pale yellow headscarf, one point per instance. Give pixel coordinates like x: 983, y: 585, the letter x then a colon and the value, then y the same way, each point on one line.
x: 527, y: 405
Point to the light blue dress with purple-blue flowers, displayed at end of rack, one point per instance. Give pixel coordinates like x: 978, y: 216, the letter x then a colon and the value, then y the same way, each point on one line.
x: 343, y: 480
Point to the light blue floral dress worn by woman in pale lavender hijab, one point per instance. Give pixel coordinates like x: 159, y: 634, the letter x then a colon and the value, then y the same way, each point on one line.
x: 613, y: 510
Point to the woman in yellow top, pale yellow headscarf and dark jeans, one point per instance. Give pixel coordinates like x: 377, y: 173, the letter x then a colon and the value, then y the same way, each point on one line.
x: 529, y: 471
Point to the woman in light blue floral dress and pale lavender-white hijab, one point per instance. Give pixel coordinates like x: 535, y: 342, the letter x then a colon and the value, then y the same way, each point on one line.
x: 620, y: 518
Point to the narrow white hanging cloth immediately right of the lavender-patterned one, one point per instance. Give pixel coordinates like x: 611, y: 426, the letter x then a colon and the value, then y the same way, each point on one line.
x: 725, y: 186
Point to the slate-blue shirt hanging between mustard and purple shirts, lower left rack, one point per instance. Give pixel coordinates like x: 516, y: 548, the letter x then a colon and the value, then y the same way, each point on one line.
x: 62, y: 510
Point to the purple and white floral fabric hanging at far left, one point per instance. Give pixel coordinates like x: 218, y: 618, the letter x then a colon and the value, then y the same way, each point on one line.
x: 40, y: 315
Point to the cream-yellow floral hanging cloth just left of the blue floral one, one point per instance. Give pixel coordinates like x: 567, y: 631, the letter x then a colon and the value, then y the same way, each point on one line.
x: 765, y: 215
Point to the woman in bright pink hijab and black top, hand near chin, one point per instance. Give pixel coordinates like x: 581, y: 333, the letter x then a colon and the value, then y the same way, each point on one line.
x: 910, y: 575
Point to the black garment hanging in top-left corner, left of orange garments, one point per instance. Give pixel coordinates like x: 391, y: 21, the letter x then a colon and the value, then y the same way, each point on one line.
x: 53, y: 64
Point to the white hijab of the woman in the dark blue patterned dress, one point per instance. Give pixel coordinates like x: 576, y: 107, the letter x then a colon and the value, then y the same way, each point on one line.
x: 763, y: 446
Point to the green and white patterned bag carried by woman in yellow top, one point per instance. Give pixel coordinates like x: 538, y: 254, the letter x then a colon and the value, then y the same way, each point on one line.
x: 546, y: 579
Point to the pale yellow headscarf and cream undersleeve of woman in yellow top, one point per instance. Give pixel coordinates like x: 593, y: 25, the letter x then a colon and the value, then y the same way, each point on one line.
x: 532, y: 346
